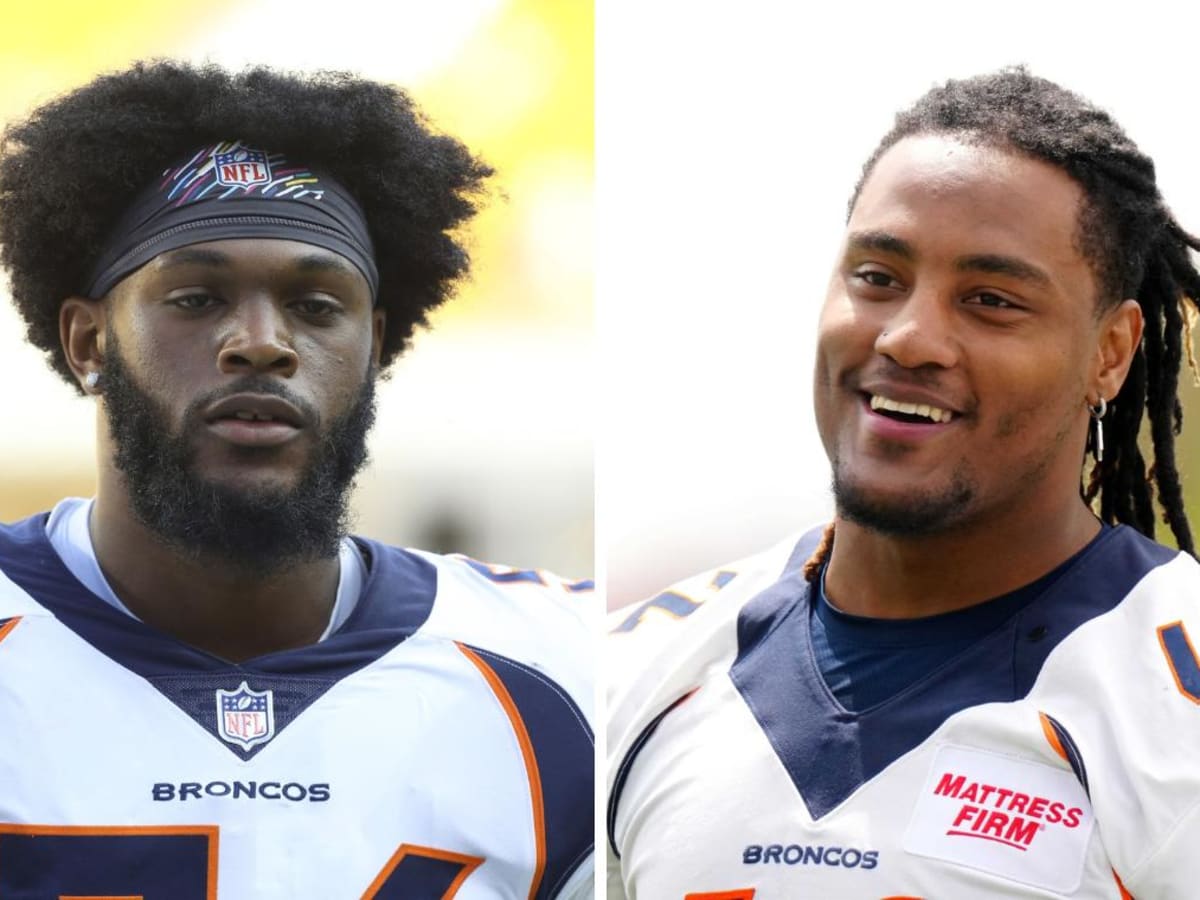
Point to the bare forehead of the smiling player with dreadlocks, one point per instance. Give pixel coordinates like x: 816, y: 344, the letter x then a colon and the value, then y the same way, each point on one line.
x: 944, y: 194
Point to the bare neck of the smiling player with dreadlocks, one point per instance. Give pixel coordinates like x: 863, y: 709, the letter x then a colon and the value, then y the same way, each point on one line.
x: 886, y: 577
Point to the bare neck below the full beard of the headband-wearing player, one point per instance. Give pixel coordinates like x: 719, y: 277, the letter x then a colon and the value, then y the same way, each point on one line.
x: 207, y: 603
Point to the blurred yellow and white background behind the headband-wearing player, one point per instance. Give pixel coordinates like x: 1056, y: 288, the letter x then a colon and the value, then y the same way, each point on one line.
x: 484, y: 443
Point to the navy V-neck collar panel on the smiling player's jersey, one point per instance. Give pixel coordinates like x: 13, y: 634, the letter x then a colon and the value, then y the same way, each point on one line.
x: 829, y: 752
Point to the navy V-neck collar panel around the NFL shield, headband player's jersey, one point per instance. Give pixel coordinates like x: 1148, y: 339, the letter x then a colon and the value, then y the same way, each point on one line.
x: 398, y: 598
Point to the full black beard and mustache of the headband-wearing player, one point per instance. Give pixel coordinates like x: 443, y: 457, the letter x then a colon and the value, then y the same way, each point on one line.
x: 257, y: 531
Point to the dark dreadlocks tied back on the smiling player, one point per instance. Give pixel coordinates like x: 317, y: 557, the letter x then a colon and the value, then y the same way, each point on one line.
x: 1135, y: 247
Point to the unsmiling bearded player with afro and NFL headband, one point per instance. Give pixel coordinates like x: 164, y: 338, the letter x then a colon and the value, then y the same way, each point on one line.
x: 208, y: 688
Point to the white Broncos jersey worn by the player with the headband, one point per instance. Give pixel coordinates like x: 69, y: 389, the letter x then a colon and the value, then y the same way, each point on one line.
x: 436, y: 746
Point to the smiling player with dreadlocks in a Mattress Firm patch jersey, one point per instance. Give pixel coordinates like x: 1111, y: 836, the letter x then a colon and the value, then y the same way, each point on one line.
x: 981, y: 680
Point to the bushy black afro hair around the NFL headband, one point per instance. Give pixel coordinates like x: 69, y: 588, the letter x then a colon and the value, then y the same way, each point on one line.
x: 71, y: 169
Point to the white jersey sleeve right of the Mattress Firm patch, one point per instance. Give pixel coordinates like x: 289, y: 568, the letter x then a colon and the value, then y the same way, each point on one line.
x: 1127, y: 686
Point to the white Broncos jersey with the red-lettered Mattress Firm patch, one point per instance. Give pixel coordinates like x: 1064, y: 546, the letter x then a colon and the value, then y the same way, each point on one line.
x: 1057, y: 758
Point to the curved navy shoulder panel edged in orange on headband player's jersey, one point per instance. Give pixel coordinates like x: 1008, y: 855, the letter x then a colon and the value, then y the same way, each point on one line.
x: 565, y: 752
